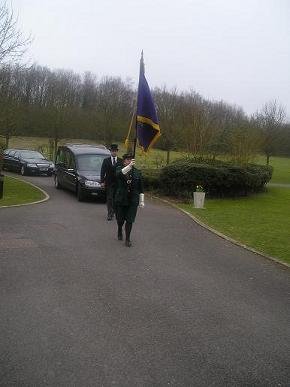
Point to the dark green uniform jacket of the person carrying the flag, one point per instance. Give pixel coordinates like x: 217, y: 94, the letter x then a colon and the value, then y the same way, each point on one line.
x: 122, y: 197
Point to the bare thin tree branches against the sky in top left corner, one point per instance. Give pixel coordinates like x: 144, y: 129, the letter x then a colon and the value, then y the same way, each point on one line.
x: 13, y: 43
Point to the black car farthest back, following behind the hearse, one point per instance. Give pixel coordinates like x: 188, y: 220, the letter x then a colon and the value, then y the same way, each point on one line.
x: 26, y: 162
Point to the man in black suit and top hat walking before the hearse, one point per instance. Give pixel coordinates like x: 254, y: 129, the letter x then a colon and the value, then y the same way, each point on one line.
x: 108, y: 178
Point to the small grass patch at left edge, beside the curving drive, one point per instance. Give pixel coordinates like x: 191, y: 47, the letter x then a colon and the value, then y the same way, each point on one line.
x: 18, y: 192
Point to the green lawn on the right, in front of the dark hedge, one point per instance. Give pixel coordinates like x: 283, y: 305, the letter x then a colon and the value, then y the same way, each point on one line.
x: 260, y: 221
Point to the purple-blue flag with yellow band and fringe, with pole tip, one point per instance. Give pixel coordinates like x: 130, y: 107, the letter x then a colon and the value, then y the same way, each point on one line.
x: 147, y: 126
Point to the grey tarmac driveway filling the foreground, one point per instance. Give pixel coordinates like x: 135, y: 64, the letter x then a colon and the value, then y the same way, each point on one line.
x: 182, y: 307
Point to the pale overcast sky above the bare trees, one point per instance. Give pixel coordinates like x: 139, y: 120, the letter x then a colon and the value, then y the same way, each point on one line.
x: 234, y: 50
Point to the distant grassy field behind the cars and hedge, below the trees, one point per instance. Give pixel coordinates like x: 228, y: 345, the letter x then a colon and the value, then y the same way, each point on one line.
x: 155, y: 158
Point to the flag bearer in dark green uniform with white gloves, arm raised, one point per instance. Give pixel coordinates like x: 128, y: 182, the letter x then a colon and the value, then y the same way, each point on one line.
x: 129, y: 195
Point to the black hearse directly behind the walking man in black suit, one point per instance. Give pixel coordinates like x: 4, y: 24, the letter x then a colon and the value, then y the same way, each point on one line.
x: 78, y: 169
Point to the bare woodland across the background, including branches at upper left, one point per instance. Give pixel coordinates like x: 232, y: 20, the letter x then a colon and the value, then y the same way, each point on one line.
x: 38, y: 101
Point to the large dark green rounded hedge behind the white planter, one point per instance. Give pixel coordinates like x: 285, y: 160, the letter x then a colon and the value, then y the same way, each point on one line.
x: 181, y: 177
